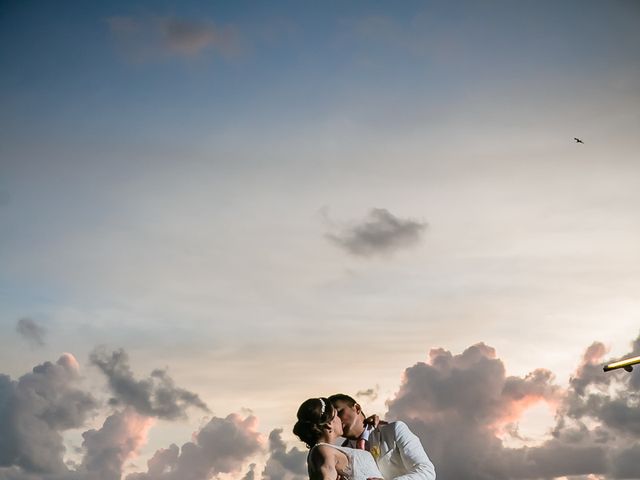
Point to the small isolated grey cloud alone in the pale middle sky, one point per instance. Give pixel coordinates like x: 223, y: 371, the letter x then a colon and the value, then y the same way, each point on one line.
x: 379, y: 233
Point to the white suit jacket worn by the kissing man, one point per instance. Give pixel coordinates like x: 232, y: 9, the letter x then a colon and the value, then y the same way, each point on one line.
x: 402, y: 456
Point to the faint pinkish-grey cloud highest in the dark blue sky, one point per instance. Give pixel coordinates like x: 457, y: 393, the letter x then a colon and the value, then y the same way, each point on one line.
x: 154, y: 38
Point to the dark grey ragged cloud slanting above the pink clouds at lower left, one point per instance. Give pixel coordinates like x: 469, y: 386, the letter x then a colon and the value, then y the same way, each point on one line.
x: 155, y: 396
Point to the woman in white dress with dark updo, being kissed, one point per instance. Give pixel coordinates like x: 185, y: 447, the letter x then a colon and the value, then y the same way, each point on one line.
x: 319, y: 427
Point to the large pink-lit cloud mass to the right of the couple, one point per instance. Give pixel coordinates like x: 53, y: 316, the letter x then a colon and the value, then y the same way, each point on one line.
x: 461, y: 406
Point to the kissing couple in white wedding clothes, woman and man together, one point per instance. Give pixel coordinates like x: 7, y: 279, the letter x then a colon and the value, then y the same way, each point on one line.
x: 372, y: 450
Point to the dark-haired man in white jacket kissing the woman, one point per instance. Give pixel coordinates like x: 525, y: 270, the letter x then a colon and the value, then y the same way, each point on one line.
x: 397, y: 450
